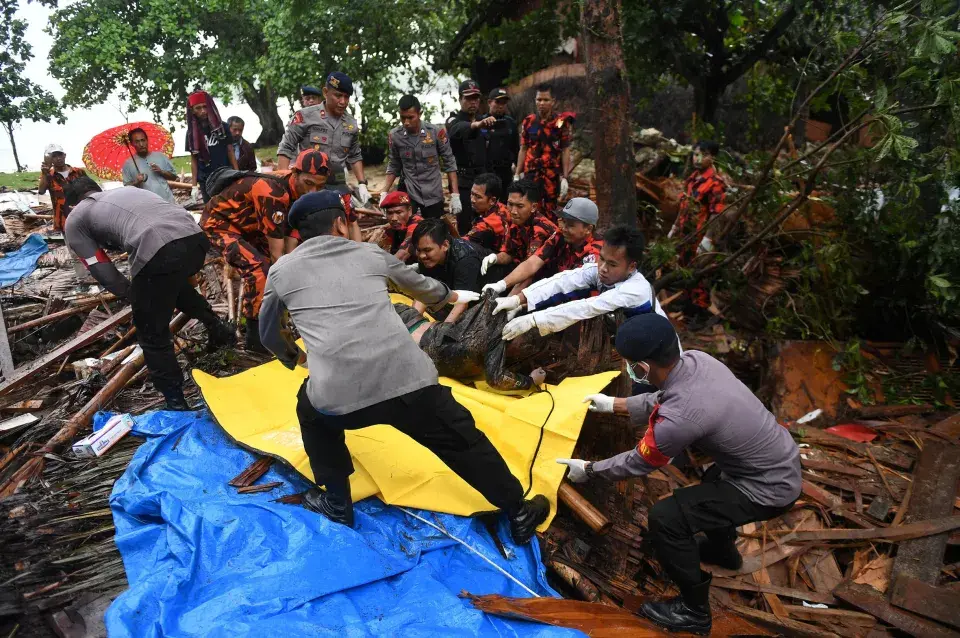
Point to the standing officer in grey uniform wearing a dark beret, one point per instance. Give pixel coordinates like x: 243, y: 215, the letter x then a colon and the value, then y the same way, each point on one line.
x: 329, y: 128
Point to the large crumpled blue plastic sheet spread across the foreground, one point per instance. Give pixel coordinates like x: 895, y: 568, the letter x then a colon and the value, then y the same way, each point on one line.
x: 203, y: 560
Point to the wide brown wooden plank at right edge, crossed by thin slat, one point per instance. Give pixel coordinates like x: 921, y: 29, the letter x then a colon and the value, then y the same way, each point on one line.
x: 932, y: 496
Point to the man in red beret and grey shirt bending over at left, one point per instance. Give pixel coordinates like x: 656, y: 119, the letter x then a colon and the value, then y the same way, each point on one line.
x: 166, y: 249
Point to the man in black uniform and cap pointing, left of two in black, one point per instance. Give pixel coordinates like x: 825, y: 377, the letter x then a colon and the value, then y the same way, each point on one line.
x: 469, y: 146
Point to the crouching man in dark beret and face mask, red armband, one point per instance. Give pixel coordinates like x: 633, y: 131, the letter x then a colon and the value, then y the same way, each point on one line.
x: 756, y: 475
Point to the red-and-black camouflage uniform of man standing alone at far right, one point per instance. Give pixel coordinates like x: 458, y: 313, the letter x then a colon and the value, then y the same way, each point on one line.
x: 704, y: 195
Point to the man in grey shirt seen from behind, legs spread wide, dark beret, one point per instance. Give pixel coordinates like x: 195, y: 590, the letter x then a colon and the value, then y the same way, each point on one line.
x: 336, y: 292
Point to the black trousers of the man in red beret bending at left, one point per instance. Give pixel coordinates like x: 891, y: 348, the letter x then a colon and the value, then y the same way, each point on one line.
x: 159, y: 288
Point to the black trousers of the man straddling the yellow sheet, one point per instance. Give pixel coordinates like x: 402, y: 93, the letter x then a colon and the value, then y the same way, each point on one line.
x: 432, y: 418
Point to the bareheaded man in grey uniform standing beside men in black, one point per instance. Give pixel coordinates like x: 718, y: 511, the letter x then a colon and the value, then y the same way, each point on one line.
x: 422, y: 152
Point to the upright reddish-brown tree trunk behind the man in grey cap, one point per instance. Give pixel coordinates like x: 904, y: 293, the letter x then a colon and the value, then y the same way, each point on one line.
x: 610, y: 112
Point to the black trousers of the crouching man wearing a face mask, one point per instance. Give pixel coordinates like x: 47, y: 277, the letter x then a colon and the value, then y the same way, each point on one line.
x: 715, y: 507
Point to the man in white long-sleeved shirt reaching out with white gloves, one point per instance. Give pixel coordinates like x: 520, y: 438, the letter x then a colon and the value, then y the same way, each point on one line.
x: 593, y: 290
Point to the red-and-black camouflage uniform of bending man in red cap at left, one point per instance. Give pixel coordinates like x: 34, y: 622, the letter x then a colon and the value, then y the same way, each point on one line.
x: 238, y: 222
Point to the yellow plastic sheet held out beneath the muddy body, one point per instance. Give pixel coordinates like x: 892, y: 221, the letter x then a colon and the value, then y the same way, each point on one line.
x: 257, y: 408
